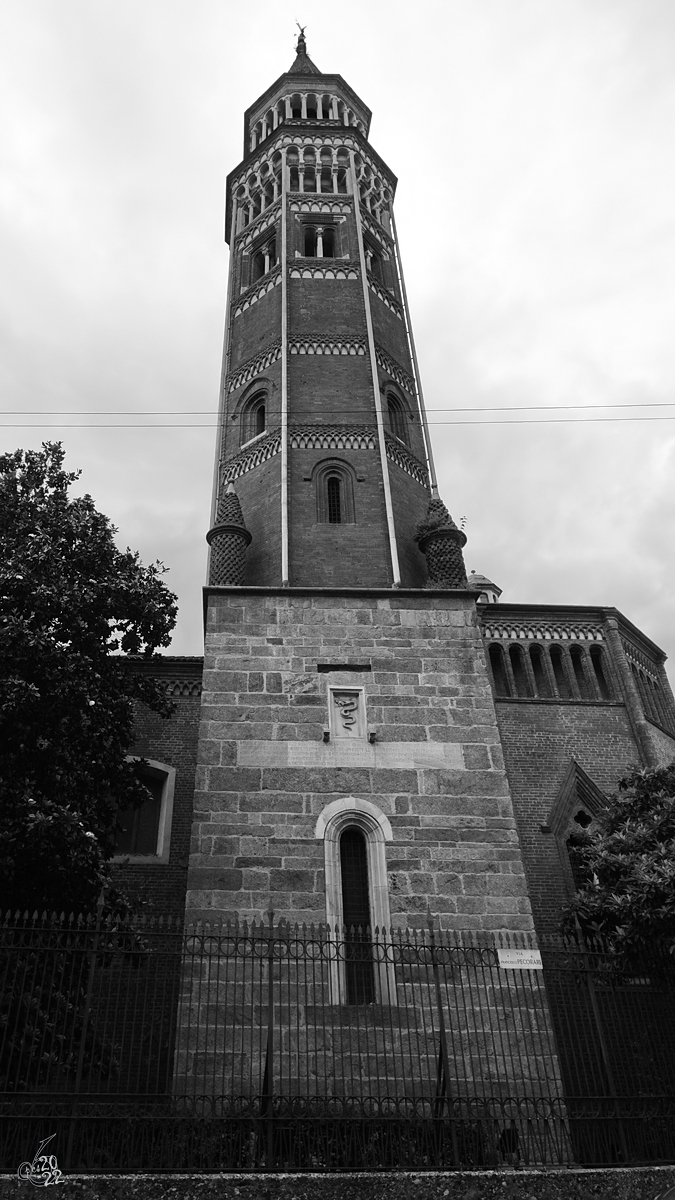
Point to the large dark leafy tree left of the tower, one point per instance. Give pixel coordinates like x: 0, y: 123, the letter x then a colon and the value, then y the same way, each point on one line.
x: 74, y: 611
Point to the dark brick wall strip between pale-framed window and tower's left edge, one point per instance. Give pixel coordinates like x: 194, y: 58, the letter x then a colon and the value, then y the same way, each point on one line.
x: 159, y: 889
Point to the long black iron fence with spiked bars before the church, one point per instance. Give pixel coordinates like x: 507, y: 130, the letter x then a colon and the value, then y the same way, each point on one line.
x: 270, y: 1047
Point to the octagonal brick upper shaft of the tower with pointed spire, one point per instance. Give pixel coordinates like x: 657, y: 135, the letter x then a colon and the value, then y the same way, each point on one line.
x: 322, y: 429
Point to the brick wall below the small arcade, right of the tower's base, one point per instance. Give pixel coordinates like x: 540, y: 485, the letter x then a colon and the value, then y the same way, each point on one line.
x: 540, y: 741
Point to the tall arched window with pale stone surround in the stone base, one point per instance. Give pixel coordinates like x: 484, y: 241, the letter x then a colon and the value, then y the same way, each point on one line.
x: 355, y: 835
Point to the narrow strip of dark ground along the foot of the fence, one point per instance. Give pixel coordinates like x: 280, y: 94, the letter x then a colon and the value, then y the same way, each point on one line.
x: 632, y: 1184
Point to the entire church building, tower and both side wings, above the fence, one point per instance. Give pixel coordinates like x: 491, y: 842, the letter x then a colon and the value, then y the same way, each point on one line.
x: 372, y: 737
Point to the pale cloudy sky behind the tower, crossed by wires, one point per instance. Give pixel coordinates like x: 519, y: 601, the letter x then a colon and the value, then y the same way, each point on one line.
x: 536, y: 211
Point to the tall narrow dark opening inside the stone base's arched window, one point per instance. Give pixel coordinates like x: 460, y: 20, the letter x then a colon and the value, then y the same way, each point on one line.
x: 356, y: 919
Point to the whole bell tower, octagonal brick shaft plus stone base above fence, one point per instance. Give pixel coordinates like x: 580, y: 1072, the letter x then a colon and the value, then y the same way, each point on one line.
x: 349, y: 730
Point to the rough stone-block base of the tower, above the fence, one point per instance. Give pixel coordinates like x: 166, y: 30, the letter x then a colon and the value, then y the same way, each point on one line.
x: 434, y: 769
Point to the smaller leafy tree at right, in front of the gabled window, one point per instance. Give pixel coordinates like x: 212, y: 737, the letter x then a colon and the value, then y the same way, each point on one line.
x: 626, y: 863
